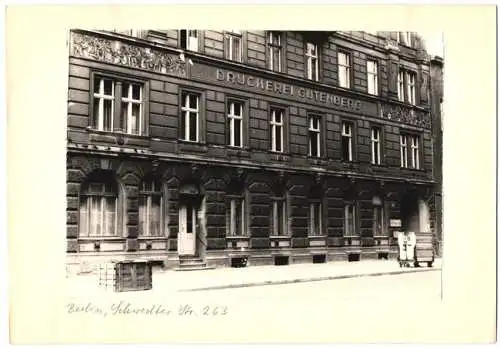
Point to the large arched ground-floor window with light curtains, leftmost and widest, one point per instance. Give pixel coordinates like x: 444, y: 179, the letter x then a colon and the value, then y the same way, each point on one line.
x: 99, y: 206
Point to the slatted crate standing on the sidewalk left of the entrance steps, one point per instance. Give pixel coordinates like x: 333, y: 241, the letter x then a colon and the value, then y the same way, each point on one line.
x: 129, y: 275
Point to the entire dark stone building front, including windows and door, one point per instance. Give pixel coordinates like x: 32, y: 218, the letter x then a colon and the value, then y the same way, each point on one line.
x: 197, y: 147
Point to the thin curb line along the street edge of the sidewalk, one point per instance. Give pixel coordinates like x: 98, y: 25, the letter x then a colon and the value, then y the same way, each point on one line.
x: 304, y: 280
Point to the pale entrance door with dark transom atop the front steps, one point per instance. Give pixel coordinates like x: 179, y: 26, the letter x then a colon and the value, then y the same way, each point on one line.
x: 188, y: 227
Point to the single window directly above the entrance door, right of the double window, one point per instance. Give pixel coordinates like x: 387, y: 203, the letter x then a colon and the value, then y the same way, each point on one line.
x: 190, y: 114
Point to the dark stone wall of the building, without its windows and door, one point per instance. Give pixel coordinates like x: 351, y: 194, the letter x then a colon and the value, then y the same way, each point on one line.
x: 165, y: 70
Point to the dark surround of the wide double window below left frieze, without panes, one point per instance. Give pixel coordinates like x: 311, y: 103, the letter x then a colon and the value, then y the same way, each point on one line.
x: 118, y: 81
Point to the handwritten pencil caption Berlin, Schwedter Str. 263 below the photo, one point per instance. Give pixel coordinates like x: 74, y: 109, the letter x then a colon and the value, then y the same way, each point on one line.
x: 124, y: 308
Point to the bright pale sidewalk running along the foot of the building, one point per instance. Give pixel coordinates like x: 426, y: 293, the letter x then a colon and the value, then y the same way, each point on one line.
x: 221, y: 278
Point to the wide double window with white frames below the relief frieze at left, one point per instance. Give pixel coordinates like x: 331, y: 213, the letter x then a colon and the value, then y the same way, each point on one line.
x: 129, y: 116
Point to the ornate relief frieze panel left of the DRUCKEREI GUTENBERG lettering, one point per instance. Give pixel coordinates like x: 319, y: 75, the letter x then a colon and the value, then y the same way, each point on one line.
x: 117, y: 52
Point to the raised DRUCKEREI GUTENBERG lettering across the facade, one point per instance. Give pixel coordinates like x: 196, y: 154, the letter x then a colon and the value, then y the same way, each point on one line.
x: 286, y: 89
